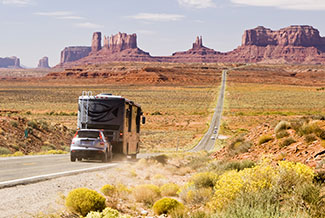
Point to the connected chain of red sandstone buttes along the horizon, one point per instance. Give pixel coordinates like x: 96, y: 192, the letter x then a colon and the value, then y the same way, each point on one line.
x: 294, y: 45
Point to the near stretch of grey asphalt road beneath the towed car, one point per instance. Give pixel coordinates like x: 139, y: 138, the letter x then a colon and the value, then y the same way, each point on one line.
x: 29, y: 169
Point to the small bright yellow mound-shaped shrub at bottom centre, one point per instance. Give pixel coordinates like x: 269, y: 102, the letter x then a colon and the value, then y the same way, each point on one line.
x: 166, y: 206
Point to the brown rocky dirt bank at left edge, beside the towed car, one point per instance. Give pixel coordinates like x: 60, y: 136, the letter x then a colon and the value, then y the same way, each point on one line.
x: 27, y: 136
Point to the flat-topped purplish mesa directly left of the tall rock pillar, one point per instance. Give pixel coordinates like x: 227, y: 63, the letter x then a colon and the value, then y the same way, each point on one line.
x: 74, y: 53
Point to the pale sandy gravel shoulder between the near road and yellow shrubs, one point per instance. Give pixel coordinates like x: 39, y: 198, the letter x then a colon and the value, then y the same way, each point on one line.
x: 48, y: 197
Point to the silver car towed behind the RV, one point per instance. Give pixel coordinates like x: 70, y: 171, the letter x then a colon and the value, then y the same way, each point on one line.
x: 90, y: 144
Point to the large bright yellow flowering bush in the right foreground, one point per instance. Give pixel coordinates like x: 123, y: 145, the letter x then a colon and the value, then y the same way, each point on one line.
x: 264, y: 176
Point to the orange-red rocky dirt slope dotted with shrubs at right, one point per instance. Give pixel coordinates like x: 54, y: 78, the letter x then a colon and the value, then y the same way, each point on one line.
x: 299, y: 151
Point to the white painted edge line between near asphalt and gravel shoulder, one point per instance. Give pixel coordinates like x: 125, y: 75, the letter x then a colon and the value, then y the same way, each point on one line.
x: 34, y: 179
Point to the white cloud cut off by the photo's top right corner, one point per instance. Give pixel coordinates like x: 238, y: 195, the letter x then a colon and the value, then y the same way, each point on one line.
x: 285, y: 4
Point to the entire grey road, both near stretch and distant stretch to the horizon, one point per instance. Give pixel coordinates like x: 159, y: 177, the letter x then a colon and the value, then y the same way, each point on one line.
x: 31, y: 169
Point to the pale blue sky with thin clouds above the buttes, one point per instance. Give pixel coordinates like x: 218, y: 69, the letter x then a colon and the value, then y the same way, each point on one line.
x: 32, y: 29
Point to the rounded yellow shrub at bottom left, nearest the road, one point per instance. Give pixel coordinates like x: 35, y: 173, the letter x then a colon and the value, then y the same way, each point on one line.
x: 84, y: 200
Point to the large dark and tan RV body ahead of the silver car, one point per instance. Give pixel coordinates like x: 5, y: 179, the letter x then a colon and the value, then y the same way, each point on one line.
x: 118, y: 117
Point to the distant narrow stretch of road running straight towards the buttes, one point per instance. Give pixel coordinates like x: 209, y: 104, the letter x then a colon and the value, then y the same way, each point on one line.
x: 209, y: 139
